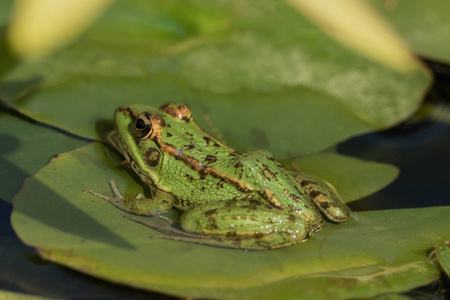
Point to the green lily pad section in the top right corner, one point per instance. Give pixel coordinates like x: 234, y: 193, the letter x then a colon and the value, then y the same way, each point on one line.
x: 426, y: 32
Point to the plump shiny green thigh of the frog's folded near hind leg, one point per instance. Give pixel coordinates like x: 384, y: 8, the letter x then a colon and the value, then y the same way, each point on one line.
x: 254, y: 227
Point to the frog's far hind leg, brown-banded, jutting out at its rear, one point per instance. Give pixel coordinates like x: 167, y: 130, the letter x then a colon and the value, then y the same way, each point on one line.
x: 324, y: 196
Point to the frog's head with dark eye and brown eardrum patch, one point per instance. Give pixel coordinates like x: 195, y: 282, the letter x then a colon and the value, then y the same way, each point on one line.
x: 139, y: 136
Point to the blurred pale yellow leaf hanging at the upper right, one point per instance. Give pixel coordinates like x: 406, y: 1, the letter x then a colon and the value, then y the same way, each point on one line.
x: 356, y: 25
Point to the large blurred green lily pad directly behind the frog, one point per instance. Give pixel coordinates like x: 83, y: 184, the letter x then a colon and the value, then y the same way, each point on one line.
x: 286, y: 85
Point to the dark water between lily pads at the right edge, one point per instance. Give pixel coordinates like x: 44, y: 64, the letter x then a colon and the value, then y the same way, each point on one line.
x: 419, y: 147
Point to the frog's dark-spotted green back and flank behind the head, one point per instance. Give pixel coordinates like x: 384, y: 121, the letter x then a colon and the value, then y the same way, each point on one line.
x: 228, y: 175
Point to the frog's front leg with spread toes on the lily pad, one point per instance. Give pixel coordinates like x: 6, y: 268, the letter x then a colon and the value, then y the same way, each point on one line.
x: 159, y: 203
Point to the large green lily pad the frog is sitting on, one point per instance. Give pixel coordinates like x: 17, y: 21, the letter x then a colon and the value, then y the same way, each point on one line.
x: 376, y: 252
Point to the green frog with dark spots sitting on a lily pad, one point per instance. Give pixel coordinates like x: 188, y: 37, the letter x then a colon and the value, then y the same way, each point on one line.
x: 225, y: 198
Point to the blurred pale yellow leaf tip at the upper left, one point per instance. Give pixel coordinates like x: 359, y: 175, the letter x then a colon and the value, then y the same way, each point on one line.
x: 39, y: 27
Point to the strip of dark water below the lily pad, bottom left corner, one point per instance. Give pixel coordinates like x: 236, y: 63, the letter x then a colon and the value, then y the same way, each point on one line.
x: 22, y: 268
